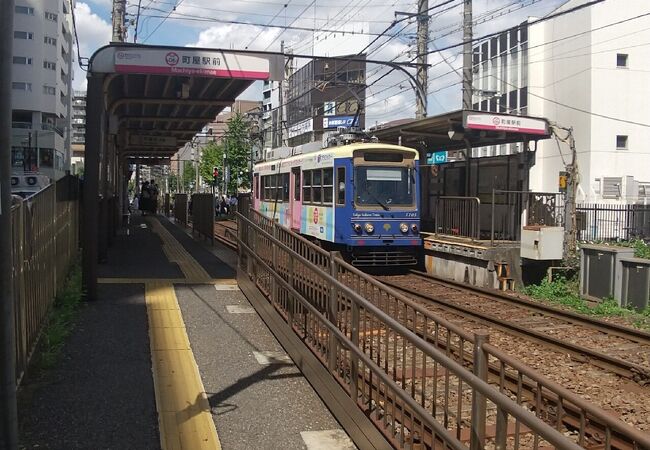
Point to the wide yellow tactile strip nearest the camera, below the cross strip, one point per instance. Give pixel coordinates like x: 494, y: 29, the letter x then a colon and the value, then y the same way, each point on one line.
x: 184, y: 413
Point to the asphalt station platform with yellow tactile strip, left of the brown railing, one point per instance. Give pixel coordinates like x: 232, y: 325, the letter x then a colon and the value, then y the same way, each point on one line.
x: 172, y: 356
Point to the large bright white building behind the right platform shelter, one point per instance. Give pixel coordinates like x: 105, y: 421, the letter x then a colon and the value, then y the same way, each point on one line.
x: 583, y: 71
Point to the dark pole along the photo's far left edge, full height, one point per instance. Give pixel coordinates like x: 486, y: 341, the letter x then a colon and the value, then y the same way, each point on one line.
x: 8, y: 406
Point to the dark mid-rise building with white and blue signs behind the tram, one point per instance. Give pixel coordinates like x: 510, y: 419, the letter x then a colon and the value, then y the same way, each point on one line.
x: 322, y: 96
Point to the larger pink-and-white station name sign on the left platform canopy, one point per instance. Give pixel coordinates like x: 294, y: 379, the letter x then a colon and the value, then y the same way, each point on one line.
x: 191, y: 63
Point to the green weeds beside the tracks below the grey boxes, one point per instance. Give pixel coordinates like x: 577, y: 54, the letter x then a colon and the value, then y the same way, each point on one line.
x: 565, y: 292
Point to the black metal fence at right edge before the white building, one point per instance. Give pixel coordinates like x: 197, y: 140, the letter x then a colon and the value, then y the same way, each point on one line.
x: 602, y: 222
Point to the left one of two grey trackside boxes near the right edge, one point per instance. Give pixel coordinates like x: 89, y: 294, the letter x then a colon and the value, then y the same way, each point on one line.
x: 601, y: 271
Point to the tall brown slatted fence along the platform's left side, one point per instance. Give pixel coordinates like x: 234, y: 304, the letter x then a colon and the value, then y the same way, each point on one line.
x: 45, y: 231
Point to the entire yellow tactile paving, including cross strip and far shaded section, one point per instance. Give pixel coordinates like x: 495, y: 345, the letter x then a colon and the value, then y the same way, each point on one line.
x: 184, y: 415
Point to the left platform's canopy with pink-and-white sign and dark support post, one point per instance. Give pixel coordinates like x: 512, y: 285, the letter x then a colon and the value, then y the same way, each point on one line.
x: 143, y: 103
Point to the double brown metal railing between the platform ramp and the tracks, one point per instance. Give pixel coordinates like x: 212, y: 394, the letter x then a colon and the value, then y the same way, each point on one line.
x: 422, y: 380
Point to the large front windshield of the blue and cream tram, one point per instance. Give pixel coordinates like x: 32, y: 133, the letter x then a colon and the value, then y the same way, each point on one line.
x: 384, y: 186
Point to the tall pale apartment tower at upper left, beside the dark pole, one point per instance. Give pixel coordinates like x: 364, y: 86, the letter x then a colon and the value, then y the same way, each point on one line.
x: 42, y: 86
